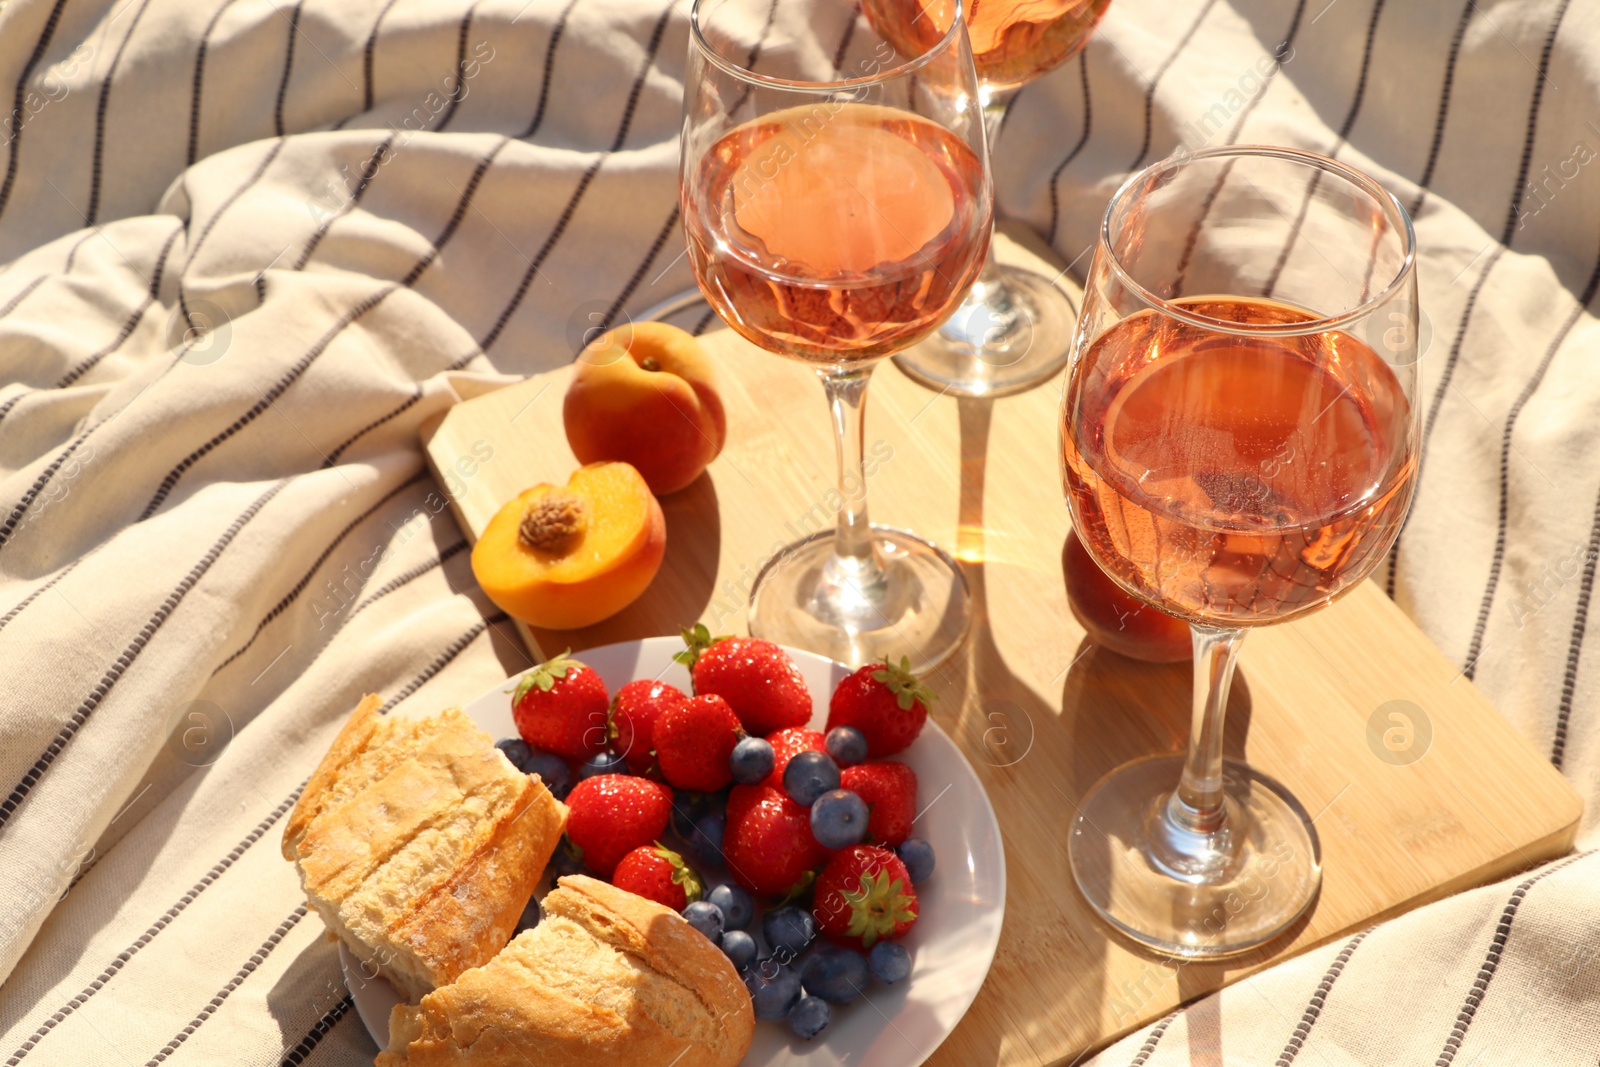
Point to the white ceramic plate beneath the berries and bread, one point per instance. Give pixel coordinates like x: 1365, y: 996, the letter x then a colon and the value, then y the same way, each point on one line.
x: 961, y: 908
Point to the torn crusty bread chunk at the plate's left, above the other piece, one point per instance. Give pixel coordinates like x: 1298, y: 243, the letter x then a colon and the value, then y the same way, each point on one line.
x: 420, y: 844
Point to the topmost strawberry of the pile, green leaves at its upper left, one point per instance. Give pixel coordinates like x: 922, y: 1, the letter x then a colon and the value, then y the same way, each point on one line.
x: 758, y: 679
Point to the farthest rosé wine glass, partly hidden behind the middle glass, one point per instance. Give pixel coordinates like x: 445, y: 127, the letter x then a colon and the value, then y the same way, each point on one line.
x: 1015, y: 327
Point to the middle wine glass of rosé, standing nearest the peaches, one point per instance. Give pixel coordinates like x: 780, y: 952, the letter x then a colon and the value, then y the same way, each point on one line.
x: 838, y: 206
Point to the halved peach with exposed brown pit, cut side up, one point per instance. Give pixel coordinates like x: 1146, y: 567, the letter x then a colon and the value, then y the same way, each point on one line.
x: 564, y: 557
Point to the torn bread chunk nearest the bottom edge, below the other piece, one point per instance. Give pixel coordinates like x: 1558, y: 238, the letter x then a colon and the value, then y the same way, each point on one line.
x: 607, y: 980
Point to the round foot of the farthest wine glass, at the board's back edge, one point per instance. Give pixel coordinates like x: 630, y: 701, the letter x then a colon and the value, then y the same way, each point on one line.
x: 1002, y: 342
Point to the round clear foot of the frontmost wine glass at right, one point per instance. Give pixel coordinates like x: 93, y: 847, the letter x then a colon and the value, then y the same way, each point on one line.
x: 1249, y: 898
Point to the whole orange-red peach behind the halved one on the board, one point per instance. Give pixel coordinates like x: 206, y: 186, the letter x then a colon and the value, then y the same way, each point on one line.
x: 644, y: 394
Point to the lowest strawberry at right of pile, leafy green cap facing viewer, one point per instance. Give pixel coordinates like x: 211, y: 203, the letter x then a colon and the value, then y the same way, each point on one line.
x: 865, y: 897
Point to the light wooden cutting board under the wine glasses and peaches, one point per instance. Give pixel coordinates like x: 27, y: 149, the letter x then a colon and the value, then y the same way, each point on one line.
x: 1039, y: 711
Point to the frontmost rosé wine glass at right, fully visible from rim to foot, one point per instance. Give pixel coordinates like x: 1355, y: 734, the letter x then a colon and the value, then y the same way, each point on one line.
x: 1241, y: 446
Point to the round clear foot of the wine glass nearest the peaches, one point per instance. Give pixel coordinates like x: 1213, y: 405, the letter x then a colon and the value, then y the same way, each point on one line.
x: 806, y: 597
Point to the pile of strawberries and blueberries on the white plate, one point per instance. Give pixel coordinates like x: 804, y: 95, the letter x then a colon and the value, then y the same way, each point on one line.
x: 814, y: 826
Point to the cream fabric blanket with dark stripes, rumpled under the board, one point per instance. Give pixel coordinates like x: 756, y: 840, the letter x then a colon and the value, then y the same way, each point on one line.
x: 249, y: 247
